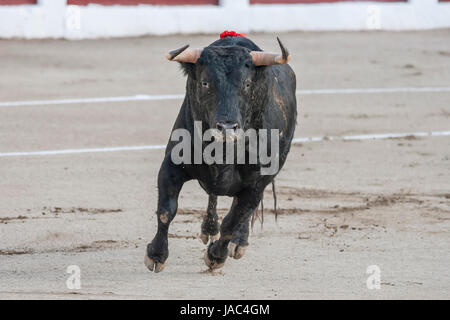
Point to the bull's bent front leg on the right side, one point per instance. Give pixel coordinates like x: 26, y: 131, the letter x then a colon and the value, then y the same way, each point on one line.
x: 234, y: 230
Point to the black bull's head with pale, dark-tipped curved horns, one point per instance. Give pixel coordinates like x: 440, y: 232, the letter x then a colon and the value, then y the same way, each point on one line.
x: 222, y: 81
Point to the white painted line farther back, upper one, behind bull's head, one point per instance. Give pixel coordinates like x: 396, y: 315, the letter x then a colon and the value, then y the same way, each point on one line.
x: 144, y: 97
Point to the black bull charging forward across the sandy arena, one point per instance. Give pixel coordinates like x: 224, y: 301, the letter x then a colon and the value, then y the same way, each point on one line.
x: 231, y: 84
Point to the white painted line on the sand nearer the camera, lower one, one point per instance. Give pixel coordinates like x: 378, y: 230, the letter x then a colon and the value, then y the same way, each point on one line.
x: 162, y: 147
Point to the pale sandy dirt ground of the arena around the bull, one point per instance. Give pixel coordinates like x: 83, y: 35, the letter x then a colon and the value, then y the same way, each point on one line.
x: 344, y: 205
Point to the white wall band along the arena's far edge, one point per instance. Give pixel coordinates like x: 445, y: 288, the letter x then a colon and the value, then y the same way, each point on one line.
x: 53, y: 19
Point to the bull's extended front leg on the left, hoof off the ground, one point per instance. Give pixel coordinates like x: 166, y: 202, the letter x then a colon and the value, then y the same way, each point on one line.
x: 170, y: 181
